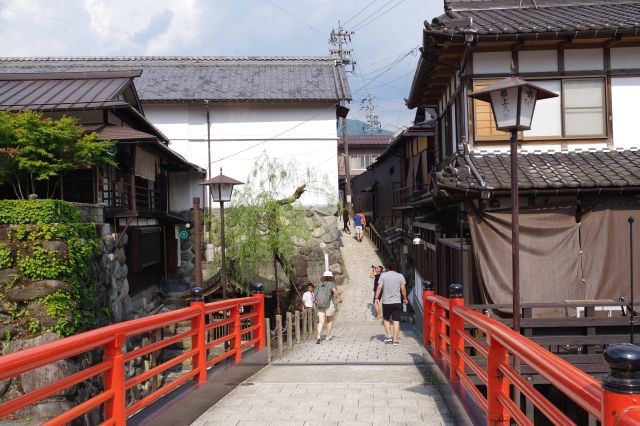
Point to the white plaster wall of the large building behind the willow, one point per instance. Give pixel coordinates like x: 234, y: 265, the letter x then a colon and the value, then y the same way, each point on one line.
x: 240, y: 133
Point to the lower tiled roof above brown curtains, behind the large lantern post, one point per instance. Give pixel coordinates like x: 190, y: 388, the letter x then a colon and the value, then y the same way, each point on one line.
x: 549, y: 171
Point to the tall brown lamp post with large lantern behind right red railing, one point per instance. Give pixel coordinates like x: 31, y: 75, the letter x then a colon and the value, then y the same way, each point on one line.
x: 513, y: 101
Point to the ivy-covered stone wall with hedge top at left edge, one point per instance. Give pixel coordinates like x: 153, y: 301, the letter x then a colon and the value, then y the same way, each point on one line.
x: 53, y: 266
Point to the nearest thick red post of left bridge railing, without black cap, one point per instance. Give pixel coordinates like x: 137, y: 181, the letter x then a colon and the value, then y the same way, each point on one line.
x: 115, y: 408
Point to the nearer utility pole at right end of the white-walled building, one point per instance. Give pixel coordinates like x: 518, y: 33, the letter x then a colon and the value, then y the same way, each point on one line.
x: 339, y: 47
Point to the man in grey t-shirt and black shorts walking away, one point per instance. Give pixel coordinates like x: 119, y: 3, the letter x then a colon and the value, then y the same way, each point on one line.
x: 392, y: 293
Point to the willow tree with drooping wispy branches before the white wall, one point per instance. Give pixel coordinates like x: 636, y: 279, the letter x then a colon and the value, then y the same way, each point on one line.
x: 267, y: 221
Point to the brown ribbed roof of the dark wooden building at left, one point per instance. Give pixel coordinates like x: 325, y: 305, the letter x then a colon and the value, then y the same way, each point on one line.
x: 63, y: 91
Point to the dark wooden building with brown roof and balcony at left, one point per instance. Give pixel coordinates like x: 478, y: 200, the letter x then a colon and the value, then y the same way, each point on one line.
x: 135, y: 192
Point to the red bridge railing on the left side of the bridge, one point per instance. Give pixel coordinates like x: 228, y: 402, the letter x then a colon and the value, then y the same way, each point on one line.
x: 228, y: 326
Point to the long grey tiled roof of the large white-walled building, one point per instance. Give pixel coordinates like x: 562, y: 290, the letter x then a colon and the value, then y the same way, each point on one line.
x: 167, y: 79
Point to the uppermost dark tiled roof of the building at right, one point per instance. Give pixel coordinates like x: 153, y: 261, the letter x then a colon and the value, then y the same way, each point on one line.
x: 495, y: 17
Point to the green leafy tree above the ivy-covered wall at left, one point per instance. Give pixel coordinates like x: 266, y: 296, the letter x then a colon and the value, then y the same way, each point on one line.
x: 34, y: 148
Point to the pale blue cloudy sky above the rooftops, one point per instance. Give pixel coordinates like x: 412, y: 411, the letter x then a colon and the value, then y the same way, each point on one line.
x: 387, y: 34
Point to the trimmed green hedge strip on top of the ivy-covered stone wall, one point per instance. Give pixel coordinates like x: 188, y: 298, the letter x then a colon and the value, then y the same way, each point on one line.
x: 37, y: 211
